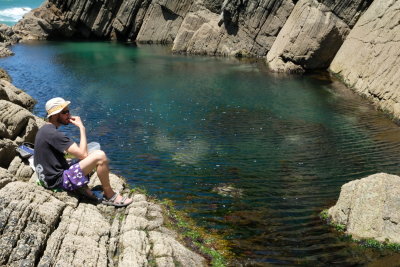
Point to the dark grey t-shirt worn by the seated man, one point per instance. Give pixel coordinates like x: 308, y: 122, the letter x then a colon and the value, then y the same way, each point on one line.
x: 49, y: 159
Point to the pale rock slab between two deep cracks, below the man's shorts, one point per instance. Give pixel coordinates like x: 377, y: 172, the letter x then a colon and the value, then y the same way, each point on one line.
x: 79, y: 240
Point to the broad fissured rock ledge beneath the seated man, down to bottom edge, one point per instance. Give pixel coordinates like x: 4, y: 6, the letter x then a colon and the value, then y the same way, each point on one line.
x: 39, y: 227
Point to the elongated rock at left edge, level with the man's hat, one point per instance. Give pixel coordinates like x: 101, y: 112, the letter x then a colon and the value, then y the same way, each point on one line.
x: 11, y: 93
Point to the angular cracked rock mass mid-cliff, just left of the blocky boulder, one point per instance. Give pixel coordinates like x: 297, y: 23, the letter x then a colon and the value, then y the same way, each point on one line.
x: 243, y: 28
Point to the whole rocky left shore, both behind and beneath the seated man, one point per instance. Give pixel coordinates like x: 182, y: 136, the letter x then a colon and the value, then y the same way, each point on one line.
x: 39, y: 227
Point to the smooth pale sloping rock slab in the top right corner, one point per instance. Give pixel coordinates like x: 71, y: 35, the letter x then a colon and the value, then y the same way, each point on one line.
x: 369, y: 58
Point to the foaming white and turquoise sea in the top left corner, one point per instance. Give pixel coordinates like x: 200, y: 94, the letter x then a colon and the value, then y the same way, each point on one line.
x: 12, y: 10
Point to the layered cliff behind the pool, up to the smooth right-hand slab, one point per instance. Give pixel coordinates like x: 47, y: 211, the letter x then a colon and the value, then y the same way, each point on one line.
x: 293, y: 30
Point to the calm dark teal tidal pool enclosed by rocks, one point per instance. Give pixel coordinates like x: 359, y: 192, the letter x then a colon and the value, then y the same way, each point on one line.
x: 181, y: 126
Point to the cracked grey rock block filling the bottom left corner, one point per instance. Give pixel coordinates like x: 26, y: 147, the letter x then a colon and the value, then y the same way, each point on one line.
x: 28, y: 214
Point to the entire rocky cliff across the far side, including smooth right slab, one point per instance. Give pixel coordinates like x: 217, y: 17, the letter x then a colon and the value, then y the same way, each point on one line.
x: 355, y: 39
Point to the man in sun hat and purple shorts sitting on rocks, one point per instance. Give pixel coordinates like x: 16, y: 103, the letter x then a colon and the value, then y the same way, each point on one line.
x: 53, y: 169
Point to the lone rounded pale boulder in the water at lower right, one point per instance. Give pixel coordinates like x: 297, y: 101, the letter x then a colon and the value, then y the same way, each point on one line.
x: 369, y: 208
